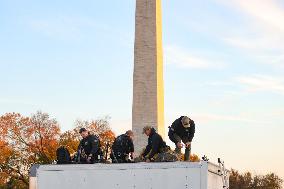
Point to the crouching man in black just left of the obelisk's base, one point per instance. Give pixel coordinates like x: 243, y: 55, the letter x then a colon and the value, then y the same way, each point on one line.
x: 122, y: 148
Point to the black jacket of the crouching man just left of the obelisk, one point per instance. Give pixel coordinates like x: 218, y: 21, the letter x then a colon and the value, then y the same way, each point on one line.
x: 123, y: 144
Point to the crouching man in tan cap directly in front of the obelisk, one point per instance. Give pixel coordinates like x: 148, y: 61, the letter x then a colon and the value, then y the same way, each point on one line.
x: 155, y: 144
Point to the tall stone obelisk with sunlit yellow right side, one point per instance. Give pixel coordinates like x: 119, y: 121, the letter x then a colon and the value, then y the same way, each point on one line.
x: 148, y: 84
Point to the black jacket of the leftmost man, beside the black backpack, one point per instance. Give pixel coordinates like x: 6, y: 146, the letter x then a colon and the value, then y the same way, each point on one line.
x: 90, y: 145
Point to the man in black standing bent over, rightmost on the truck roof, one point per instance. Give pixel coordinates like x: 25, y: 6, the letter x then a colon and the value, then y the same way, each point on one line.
x: 182, y: 129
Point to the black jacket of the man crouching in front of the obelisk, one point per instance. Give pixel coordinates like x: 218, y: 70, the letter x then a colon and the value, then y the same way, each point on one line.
x: 155, y: 145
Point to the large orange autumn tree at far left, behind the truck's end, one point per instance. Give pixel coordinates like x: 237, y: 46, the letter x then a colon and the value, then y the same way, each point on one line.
x: 25, y: 141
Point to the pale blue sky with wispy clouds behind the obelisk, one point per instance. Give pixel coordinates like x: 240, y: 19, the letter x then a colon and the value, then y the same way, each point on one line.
x: 223, y: 63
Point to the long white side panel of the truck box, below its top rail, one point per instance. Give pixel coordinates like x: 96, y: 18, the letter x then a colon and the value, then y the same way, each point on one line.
x: 121, y: 179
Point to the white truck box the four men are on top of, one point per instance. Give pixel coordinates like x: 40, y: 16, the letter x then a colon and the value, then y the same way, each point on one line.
x: 176, y: 175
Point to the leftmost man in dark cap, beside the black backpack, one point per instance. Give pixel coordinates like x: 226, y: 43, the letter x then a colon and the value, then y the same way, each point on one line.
x: 89, y: 149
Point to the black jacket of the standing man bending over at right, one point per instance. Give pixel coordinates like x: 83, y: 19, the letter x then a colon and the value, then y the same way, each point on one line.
x: 177, y: 128
